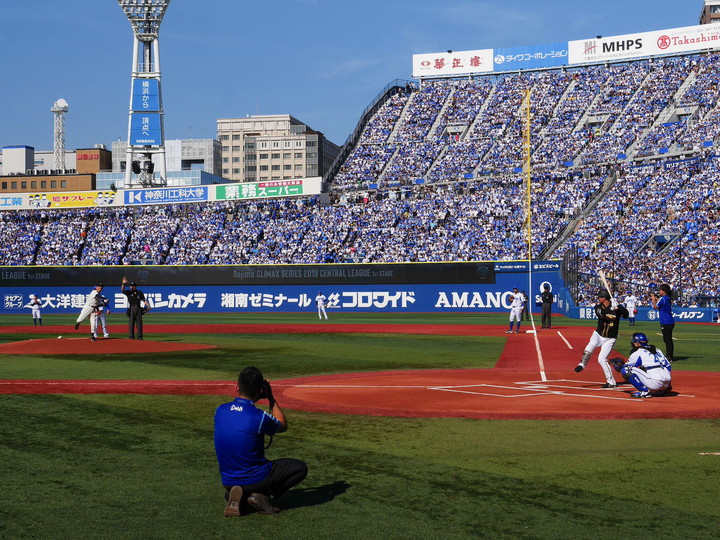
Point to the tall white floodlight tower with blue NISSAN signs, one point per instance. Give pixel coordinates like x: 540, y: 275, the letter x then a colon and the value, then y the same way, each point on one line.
x: 145, y: 123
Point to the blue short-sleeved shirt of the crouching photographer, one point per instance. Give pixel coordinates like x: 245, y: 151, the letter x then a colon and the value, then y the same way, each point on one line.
x: 240, y: 428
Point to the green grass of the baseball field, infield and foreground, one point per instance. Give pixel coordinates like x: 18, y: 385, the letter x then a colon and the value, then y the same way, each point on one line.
x: 92, y: 466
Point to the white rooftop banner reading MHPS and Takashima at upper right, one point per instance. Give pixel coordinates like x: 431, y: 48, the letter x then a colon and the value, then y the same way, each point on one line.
x: 629, y: 46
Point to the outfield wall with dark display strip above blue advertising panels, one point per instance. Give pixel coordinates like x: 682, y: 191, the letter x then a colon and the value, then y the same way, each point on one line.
x: 483, y: 287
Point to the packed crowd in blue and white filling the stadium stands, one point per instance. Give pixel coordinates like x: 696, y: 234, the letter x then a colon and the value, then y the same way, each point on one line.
x: 437, y: 176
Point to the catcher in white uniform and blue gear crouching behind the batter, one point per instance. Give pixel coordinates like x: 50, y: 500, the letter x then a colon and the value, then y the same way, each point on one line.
x: 647, y: 369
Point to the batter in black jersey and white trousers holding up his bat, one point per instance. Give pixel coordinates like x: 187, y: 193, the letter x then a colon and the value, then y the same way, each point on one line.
x: 608, y: 314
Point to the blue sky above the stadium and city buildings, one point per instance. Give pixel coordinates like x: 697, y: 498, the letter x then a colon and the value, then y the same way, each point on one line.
x: 322, y: 61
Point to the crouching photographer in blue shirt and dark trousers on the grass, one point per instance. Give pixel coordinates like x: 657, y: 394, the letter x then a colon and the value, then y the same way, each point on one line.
x: 240, y: 429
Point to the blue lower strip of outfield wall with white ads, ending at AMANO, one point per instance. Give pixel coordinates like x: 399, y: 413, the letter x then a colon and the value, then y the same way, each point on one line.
x: 281, y: 298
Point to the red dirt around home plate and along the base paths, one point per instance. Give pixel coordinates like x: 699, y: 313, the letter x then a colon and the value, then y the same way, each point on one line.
x: 517, y: 388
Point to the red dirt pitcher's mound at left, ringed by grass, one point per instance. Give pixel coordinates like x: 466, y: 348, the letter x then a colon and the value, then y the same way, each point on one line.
x: 84, y: 345
